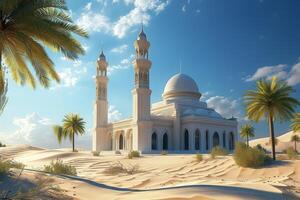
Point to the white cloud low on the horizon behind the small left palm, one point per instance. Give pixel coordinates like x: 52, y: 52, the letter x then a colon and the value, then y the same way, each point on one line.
x: 35, y: 130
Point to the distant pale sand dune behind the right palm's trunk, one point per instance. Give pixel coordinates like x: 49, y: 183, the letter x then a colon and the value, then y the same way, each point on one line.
x: 283, y: 142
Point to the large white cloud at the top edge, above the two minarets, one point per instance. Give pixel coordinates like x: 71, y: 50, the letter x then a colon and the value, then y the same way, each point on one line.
x: 141, y: 12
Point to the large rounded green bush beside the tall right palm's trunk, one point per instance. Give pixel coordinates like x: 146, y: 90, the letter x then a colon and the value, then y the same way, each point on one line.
x: 245, y: 156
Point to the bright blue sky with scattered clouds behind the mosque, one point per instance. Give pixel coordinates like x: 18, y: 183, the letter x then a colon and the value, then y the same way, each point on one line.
x: 224, y: 45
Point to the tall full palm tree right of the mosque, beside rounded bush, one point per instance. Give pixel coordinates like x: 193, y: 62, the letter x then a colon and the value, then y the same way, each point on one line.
x: 270, y: 100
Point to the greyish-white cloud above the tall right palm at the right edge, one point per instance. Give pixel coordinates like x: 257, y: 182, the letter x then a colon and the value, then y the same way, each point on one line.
x: 280, y: 71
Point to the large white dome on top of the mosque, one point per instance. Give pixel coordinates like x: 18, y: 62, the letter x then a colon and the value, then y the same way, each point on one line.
x: 181, y: 86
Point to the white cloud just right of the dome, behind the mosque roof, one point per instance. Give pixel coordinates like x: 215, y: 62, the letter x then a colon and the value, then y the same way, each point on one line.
x: 225, y: 106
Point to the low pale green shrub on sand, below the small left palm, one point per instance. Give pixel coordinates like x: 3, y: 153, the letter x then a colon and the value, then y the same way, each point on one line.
x: 58, y: 167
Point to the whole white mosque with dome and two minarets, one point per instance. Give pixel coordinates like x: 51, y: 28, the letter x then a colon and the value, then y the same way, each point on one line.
x: 178, y: 123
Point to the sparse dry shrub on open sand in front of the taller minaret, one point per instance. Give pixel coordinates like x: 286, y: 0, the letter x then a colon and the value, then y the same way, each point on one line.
x: 119, y: 168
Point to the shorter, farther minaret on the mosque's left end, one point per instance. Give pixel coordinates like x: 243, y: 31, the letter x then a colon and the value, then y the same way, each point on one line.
x: 101, y: 140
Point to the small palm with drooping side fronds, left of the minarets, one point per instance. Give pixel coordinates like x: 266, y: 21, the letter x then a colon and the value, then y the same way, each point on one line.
x: 72, y: 125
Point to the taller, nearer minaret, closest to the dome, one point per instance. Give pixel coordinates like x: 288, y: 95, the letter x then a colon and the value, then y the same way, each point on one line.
x: 141, y: 95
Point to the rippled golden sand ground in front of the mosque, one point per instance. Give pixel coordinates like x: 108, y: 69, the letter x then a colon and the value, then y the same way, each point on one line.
x: 162, y: 177
